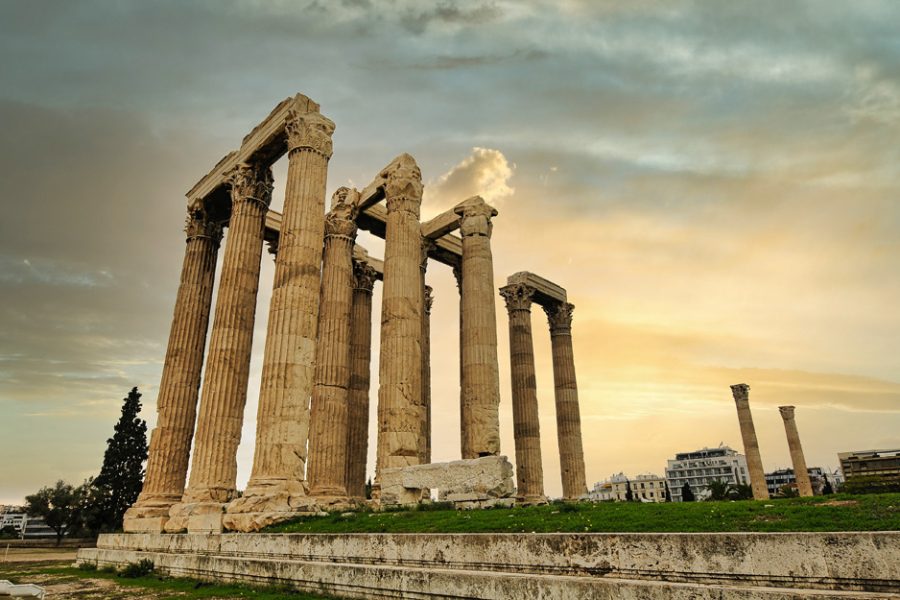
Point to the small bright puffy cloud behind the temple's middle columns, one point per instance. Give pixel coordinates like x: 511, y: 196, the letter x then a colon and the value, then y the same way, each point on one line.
x: 485, y: 172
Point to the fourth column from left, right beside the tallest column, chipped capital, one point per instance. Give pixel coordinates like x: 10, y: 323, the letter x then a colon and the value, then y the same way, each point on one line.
x: 328, y: 435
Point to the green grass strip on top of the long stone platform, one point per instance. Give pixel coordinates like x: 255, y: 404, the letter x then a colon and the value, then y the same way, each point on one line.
x: 841, y: 512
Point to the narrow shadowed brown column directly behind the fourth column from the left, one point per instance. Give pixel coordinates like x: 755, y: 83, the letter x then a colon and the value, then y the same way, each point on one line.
x: 360, y: 359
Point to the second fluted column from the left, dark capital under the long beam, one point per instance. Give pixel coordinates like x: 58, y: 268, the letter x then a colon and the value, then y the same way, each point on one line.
x: 214, y: 465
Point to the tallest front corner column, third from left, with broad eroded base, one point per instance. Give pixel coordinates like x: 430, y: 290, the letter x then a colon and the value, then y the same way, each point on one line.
x: 277, y: 483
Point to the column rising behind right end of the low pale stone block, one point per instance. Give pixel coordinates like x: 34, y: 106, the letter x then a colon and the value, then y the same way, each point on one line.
x: 480, y: 402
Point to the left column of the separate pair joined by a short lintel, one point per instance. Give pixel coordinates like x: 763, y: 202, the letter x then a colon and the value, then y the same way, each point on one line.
x: 526, y: 423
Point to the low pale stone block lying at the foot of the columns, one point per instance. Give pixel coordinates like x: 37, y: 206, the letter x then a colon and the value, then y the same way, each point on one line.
x: 477, y: 482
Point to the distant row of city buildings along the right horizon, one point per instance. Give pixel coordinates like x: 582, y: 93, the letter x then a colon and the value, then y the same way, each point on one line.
x: 701, y: 470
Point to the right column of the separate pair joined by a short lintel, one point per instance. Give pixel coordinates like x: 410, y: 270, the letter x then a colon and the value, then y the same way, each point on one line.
x: 568, y: 415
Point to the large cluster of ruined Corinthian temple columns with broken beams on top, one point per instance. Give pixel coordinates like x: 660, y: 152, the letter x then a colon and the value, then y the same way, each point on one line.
x: 312, y: 423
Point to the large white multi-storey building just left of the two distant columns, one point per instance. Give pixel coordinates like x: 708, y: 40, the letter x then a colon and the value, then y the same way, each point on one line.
x: 702, y: 467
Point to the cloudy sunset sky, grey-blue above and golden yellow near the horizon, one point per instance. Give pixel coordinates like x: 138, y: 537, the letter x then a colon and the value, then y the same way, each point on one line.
x: 717, y: 186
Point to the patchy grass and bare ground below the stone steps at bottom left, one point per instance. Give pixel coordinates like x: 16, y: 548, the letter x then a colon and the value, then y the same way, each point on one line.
x: 64, y: 582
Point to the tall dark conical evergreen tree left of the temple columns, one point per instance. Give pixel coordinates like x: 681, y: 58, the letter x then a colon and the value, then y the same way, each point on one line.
x: 122, y: 475
